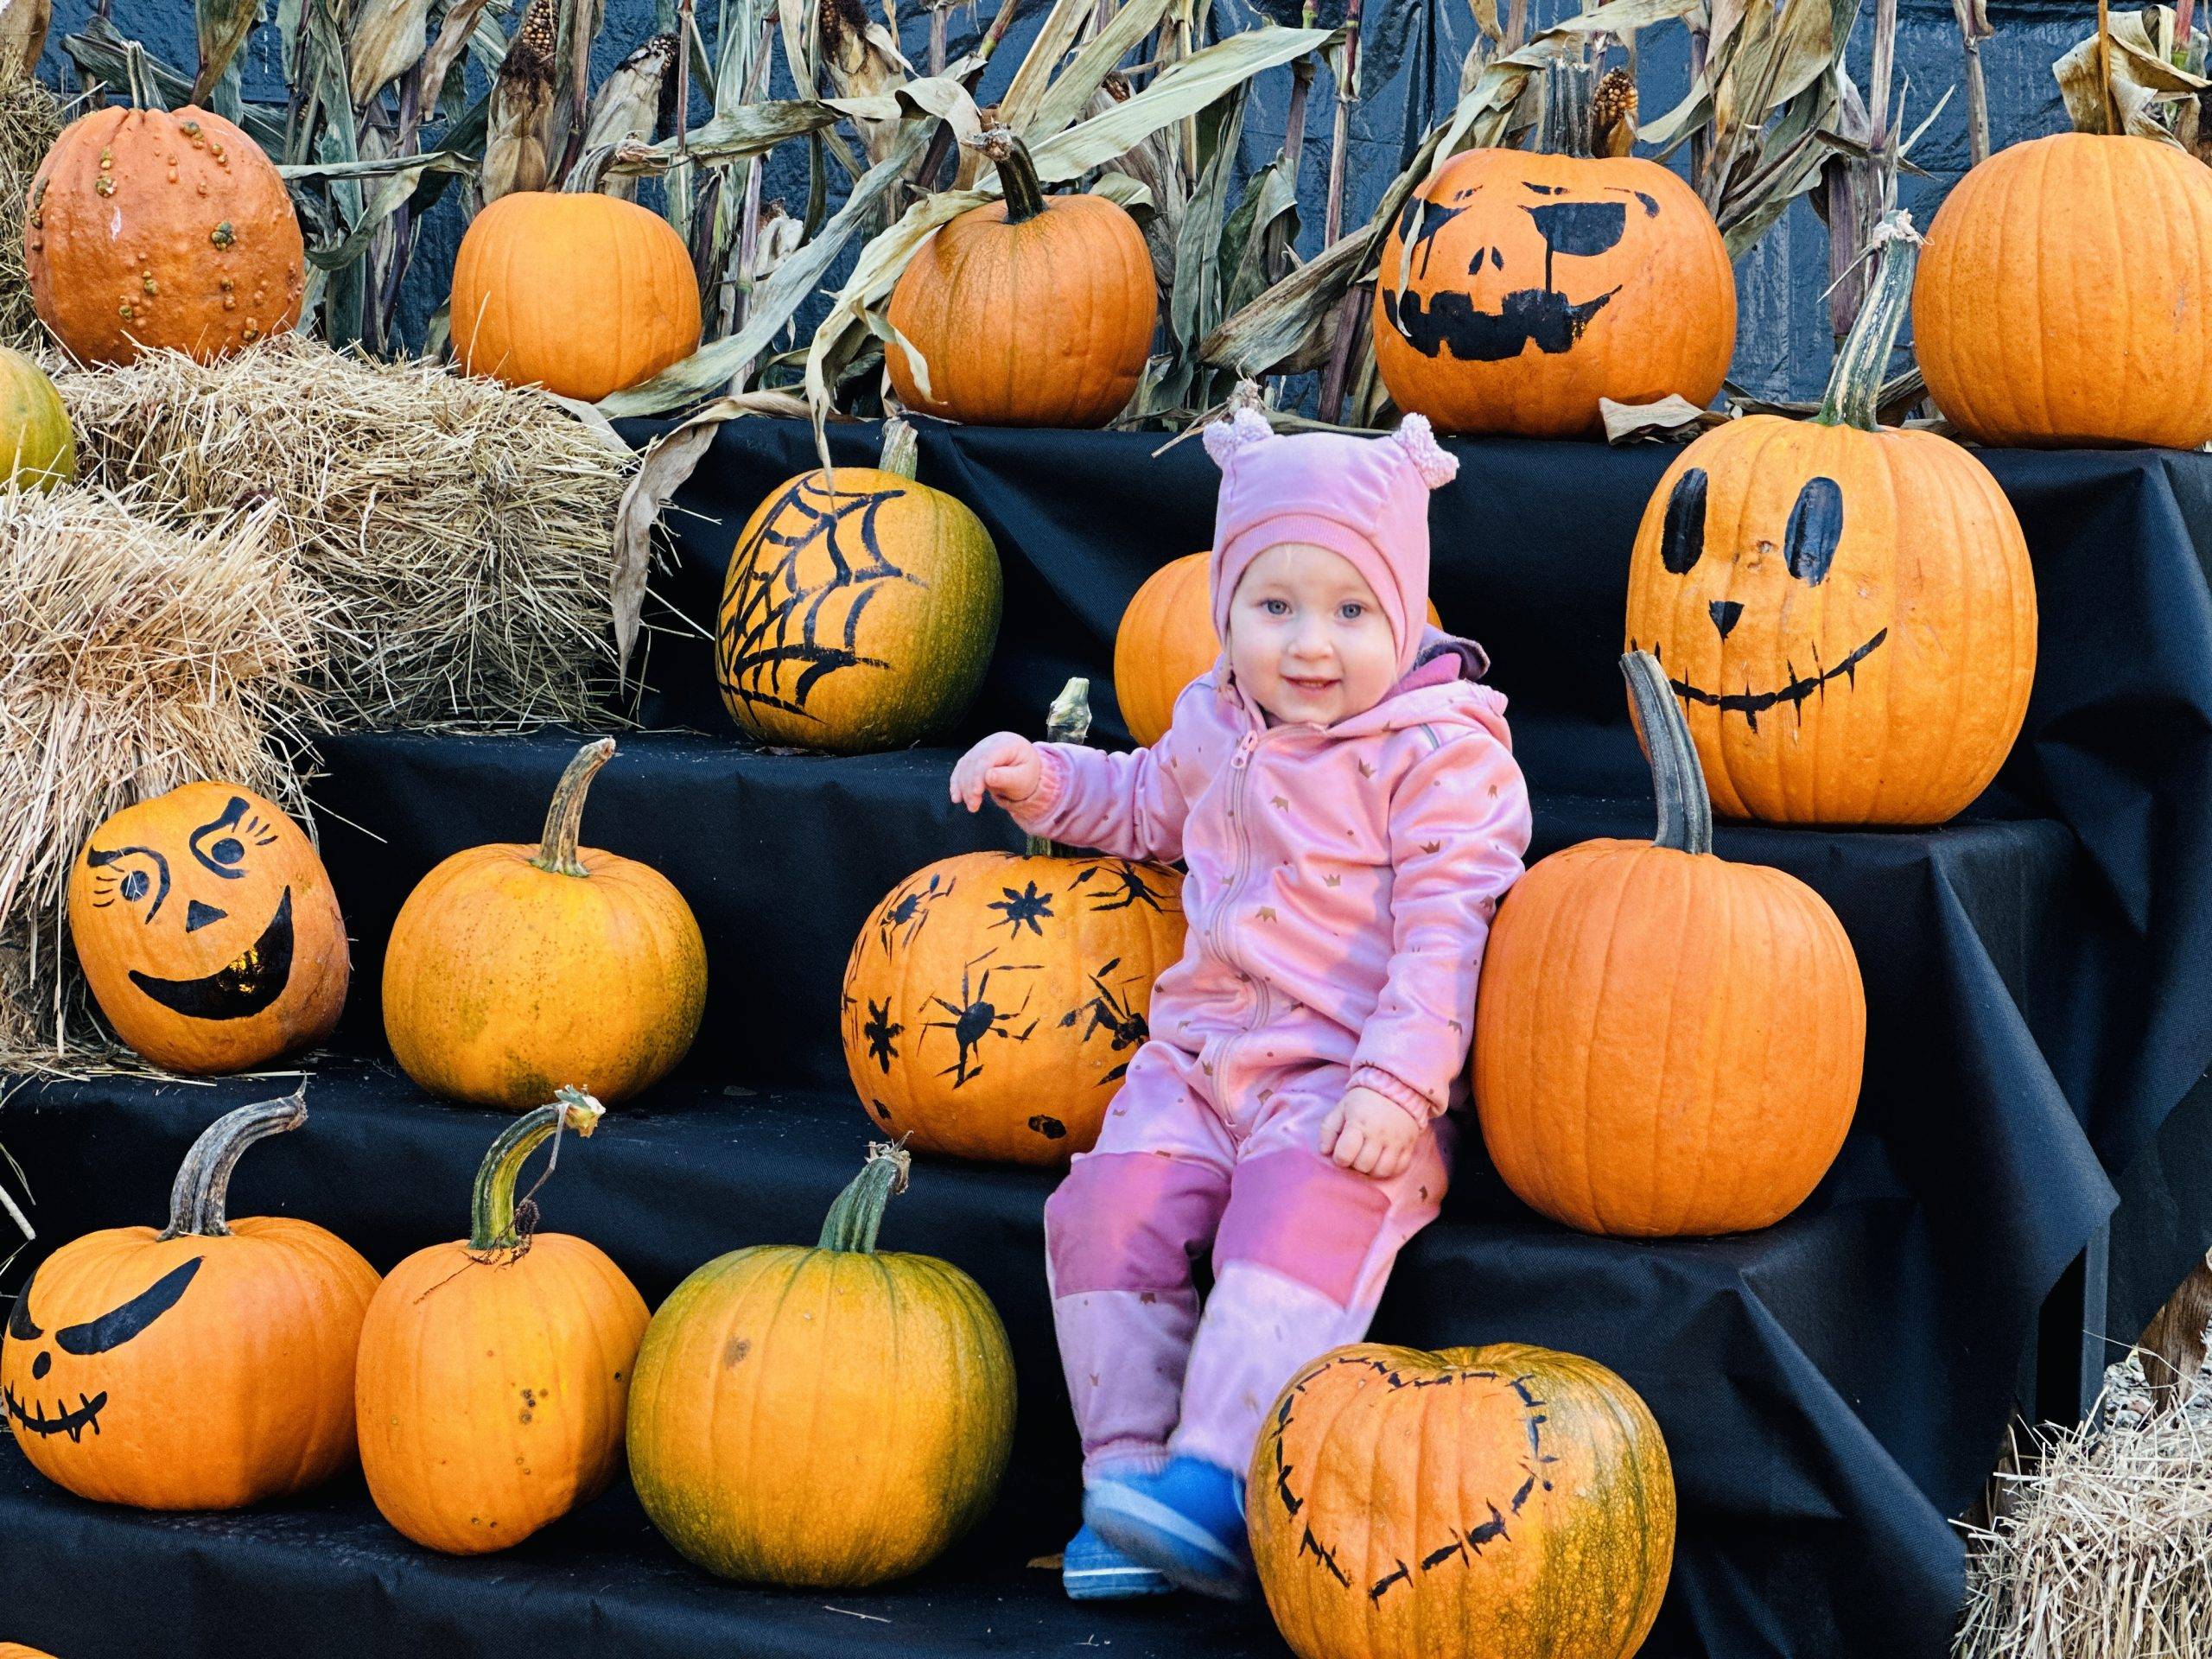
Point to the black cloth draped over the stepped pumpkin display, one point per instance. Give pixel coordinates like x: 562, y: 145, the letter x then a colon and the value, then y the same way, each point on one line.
x: 1833, y: 1390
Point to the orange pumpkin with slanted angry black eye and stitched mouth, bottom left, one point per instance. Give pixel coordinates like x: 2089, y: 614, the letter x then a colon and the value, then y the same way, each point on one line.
x: 207, y: 1366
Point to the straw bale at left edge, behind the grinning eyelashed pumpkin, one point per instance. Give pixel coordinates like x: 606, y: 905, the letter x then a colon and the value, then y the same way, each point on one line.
x: 134, y: 658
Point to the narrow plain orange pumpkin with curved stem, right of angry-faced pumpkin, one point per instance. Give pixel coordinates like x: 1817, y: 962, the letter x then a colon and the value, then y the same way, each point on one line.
x: 497, y: 1373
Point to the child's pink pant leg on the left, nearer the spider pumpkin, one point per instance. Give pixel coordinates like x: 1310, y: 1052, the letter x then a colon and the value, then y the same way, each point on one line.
x: 1118, y: 1242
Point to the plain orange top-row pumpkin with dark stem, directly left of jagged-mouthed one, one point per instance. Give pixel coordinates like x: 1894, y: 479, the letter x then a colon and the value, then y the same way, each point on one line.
x: 1030, y: 313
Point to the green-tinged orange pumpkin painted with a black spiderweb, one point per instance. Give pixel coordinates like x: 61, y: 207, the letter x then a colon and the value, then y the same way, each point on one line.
x: 859, y: 609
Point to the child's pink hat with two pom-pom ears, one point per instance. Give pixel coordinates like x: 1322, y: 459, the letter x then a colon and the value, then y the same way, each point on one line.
x: 1364, y: 499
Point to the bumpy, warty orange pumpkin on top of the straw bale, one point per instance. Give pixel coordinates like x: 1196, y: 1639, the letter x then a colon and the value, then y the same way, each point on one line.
x: 160, y: 231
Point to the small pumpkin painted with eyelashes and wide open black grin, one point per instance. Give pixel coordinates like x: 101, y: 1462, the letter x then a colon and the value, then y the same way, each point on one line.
x: 209, y: 930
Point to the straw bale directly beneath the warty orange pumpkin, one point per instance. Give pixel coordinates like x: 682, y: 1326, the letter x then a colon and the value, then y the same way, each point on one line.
x: 459, y: 530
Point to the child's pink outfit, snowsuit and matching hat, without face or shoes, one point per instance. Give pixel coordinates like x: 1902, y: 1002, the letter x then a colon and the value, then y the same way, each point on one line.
x: 1339, y: 897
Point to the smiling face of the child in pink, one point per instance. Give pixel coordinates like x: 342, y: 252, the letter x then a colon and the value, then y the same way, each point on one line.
x: 1308, y: 638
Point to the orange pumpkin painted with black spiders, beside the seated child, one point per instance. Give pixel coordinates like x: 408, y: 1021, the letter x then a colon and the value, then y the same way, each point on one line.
x: 994, y: 1001
